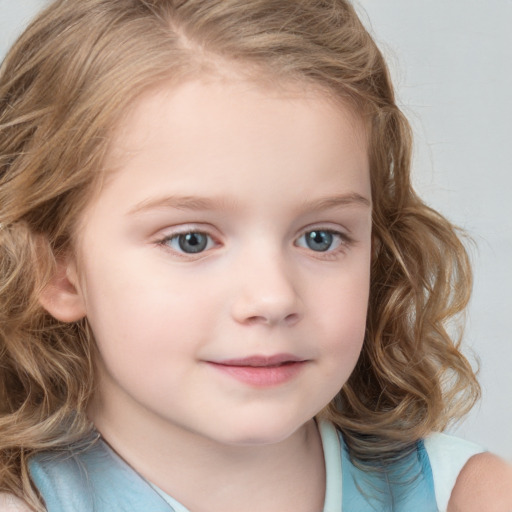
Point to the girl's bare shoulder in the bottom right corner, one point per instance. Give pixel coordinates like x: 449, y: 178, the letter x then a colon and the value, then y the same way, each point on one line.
x: 485, y: 483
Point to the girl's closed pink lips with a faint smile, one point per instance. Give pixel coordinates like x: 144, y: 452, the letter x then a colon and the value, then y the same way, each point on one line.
x: 261, y: 371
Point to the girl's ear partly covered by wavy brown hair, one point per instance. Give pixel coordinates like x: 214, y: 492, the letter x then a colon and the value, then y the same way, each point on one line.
x: 62, y: 297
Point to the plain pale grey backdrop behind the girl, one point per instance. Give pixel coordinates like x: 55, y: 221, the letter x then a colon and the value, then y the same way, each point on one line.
x: 452, y: 66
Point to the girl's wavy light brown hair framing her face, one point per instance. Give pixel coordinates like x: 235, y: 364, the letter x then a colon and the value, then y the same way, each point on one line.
x: 64, y: 87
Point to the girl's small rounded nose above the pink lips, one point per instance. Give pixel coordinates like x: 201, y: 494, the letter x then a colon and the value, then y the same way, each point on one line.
x: 266, y: 293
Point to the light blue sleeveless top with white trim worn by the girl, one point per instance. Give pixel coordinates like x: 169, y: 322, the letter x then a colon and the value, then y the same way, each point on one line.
x: 96, y: 479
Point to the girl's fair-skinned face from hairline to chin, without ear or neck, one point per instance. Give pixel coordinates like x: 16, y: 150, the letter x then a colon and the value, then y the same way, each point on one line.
x: 224, y: 266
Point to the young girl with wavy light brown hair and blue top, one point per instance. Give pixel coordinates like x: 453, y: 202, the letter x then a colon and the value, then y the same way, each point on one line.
x: 219, y: 291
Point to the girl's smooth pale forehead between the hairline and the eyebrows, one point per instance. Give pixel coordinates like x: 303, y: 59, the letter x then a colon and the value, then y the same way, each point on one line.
x: 193, y: 135
